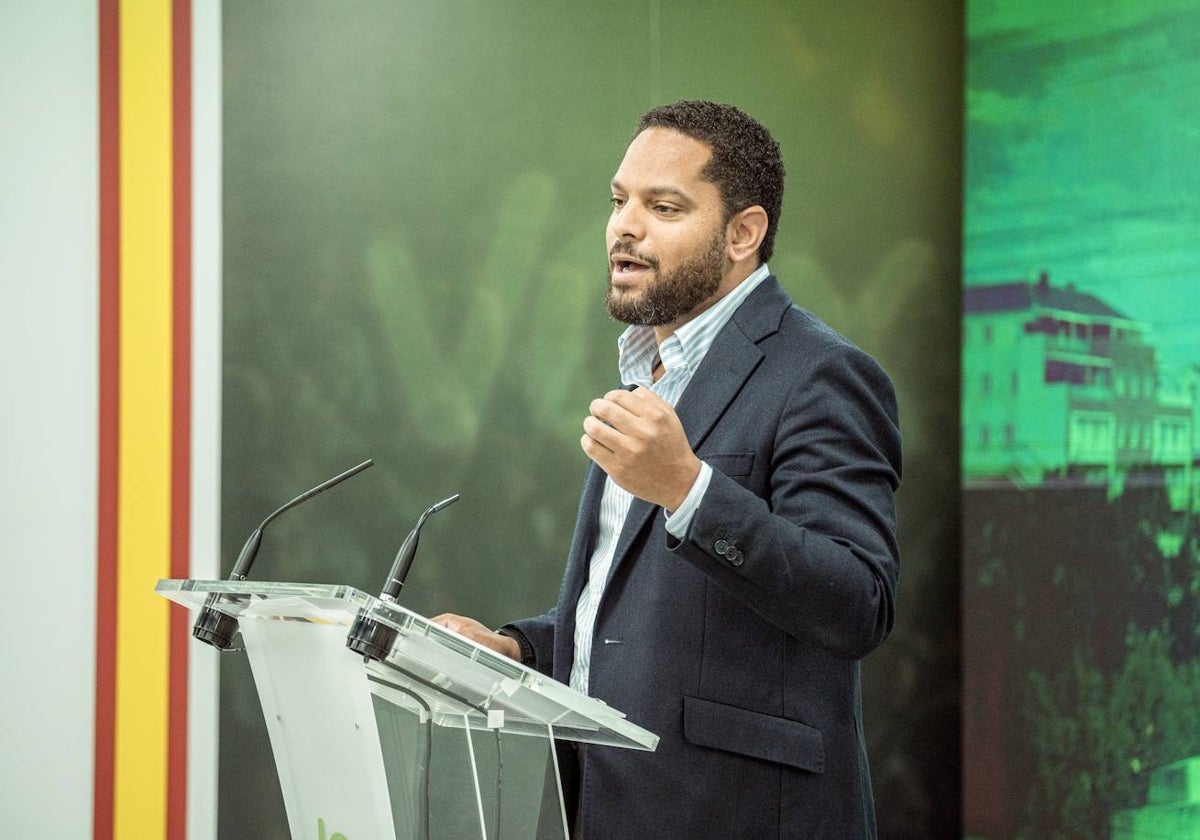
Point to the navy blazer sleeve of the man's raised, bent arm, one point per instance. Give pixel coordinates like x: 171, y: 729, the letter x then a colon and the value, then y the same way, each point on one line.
x: 818, y: 555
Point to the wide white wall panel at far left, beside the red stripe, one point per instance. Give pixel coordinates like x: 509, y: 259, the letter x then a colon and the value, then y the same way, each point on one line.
x: 49, y: 427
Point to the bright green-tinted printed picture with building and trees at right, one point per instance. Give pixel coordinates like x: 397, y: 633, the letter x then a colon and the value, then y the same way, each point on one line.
x: 1081, y: 400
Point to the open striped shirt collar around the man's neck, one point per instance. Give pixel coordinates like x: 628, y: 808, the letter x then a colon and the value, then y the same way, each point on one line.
x: 687, y: 346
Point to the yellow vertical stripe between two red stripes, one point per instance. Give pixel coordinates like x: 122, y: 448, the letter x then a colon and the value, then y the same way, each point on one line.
x: 146, y: 404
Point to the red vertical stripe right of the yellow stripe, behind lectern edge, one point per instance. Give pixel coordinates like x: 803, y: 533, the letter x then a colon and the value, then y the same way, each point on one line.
x: 182, y: 409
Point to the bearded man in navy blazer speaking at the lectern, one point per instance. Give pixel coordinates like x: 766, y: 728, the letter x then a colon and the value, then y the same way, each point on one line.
x: 735, y: 555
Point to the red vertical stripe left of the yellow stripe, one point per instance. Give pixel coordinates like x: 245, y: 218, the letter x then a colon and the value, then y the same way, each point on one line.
x: 110, y: 416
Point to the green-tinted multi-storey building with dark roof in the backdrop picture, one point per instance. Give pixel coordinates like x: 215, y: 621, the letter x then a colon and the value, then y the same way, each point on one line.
x: 1059, y: 386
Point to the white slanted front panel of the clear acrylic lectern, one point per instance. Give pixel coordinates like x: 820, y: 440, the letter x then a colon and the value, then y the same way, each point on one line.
x: 321, y: 721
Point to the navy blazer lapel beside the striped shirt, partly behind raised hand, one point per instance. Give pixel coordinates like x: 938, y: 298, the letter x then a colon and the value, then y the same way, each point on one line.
x: 725, y: 369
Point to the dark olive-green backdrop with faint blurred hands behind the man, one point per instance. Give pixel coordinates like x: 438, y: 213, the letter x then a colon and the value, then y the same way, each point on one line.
x: 415, y: 208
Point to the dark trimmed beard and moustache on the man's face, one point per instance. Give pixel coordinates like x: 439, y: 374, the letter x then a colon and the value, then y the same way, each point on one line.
x: 673, y: 295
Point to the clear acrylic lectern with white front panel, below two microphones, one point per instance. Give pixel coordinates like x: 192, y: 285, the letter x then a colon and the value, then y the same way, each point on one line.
x: 431, y: 737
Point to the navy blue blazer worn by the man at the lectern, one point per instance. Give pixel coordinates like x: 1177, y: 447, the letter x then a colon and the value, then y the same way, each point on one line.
x: 740, y: 645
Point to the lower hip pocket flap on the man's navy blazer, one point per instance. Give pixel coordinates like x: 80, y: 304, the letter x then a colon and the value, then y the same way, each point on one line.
x: 753, y: 734
